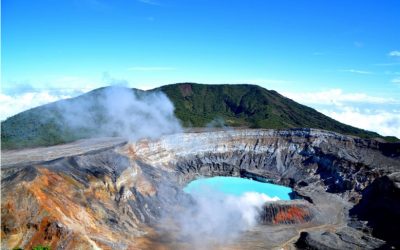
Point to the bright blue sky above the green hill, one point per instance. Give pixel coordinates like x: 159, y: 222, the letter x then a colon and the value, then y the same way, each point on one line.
x: 333, y: 55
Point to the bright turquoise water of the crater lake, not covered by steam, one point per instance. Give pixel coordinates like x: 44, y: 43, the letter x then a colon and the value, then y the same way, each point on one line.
x: 237, y: 186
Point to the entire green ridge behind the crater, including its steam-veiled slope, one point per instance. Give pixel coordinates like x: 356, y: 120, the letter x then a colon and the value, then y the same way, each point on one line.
x: 195, y: 105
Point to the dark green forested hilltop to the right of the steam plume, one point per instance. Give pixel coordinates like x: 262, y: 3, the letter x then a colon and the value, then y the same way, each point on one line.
x: 249, y: 106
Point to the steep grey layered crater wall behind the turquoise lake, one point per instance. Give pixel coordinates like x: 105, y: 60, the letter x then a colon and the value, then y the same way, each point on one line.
x: 289, y: 157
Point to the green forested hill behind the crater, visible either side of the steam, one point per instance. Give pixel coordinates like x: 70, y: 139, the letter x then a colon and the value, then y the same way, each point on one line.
x: 196, y: 105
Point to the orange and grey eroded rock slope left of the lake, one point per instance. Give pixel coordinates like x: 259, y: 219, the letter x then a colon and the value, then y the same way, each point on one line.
x: 95, y: 200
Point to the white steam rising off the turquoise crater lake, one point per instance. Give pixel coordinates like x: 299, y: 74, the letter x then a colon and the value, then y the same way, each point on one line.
x: 217, y: 218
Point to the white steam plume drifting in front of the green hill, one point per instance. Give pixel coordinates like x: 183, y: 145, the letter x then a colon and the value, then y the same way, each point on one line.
x: 118, y: 111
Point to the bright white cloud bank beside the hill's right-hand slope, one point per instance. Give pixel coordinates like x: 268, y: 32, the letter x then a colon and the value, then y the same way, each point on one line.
x: 360, y: 110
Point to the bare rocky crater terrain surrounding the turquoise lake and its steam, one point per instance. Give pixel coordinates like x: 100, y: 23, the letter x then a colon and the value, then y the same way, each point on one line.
x: 114, y: 196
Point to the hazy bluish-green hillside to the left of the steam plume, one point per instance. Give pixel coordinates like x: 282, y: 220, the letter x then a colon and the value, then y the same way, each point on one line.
x: 45, y: 125
